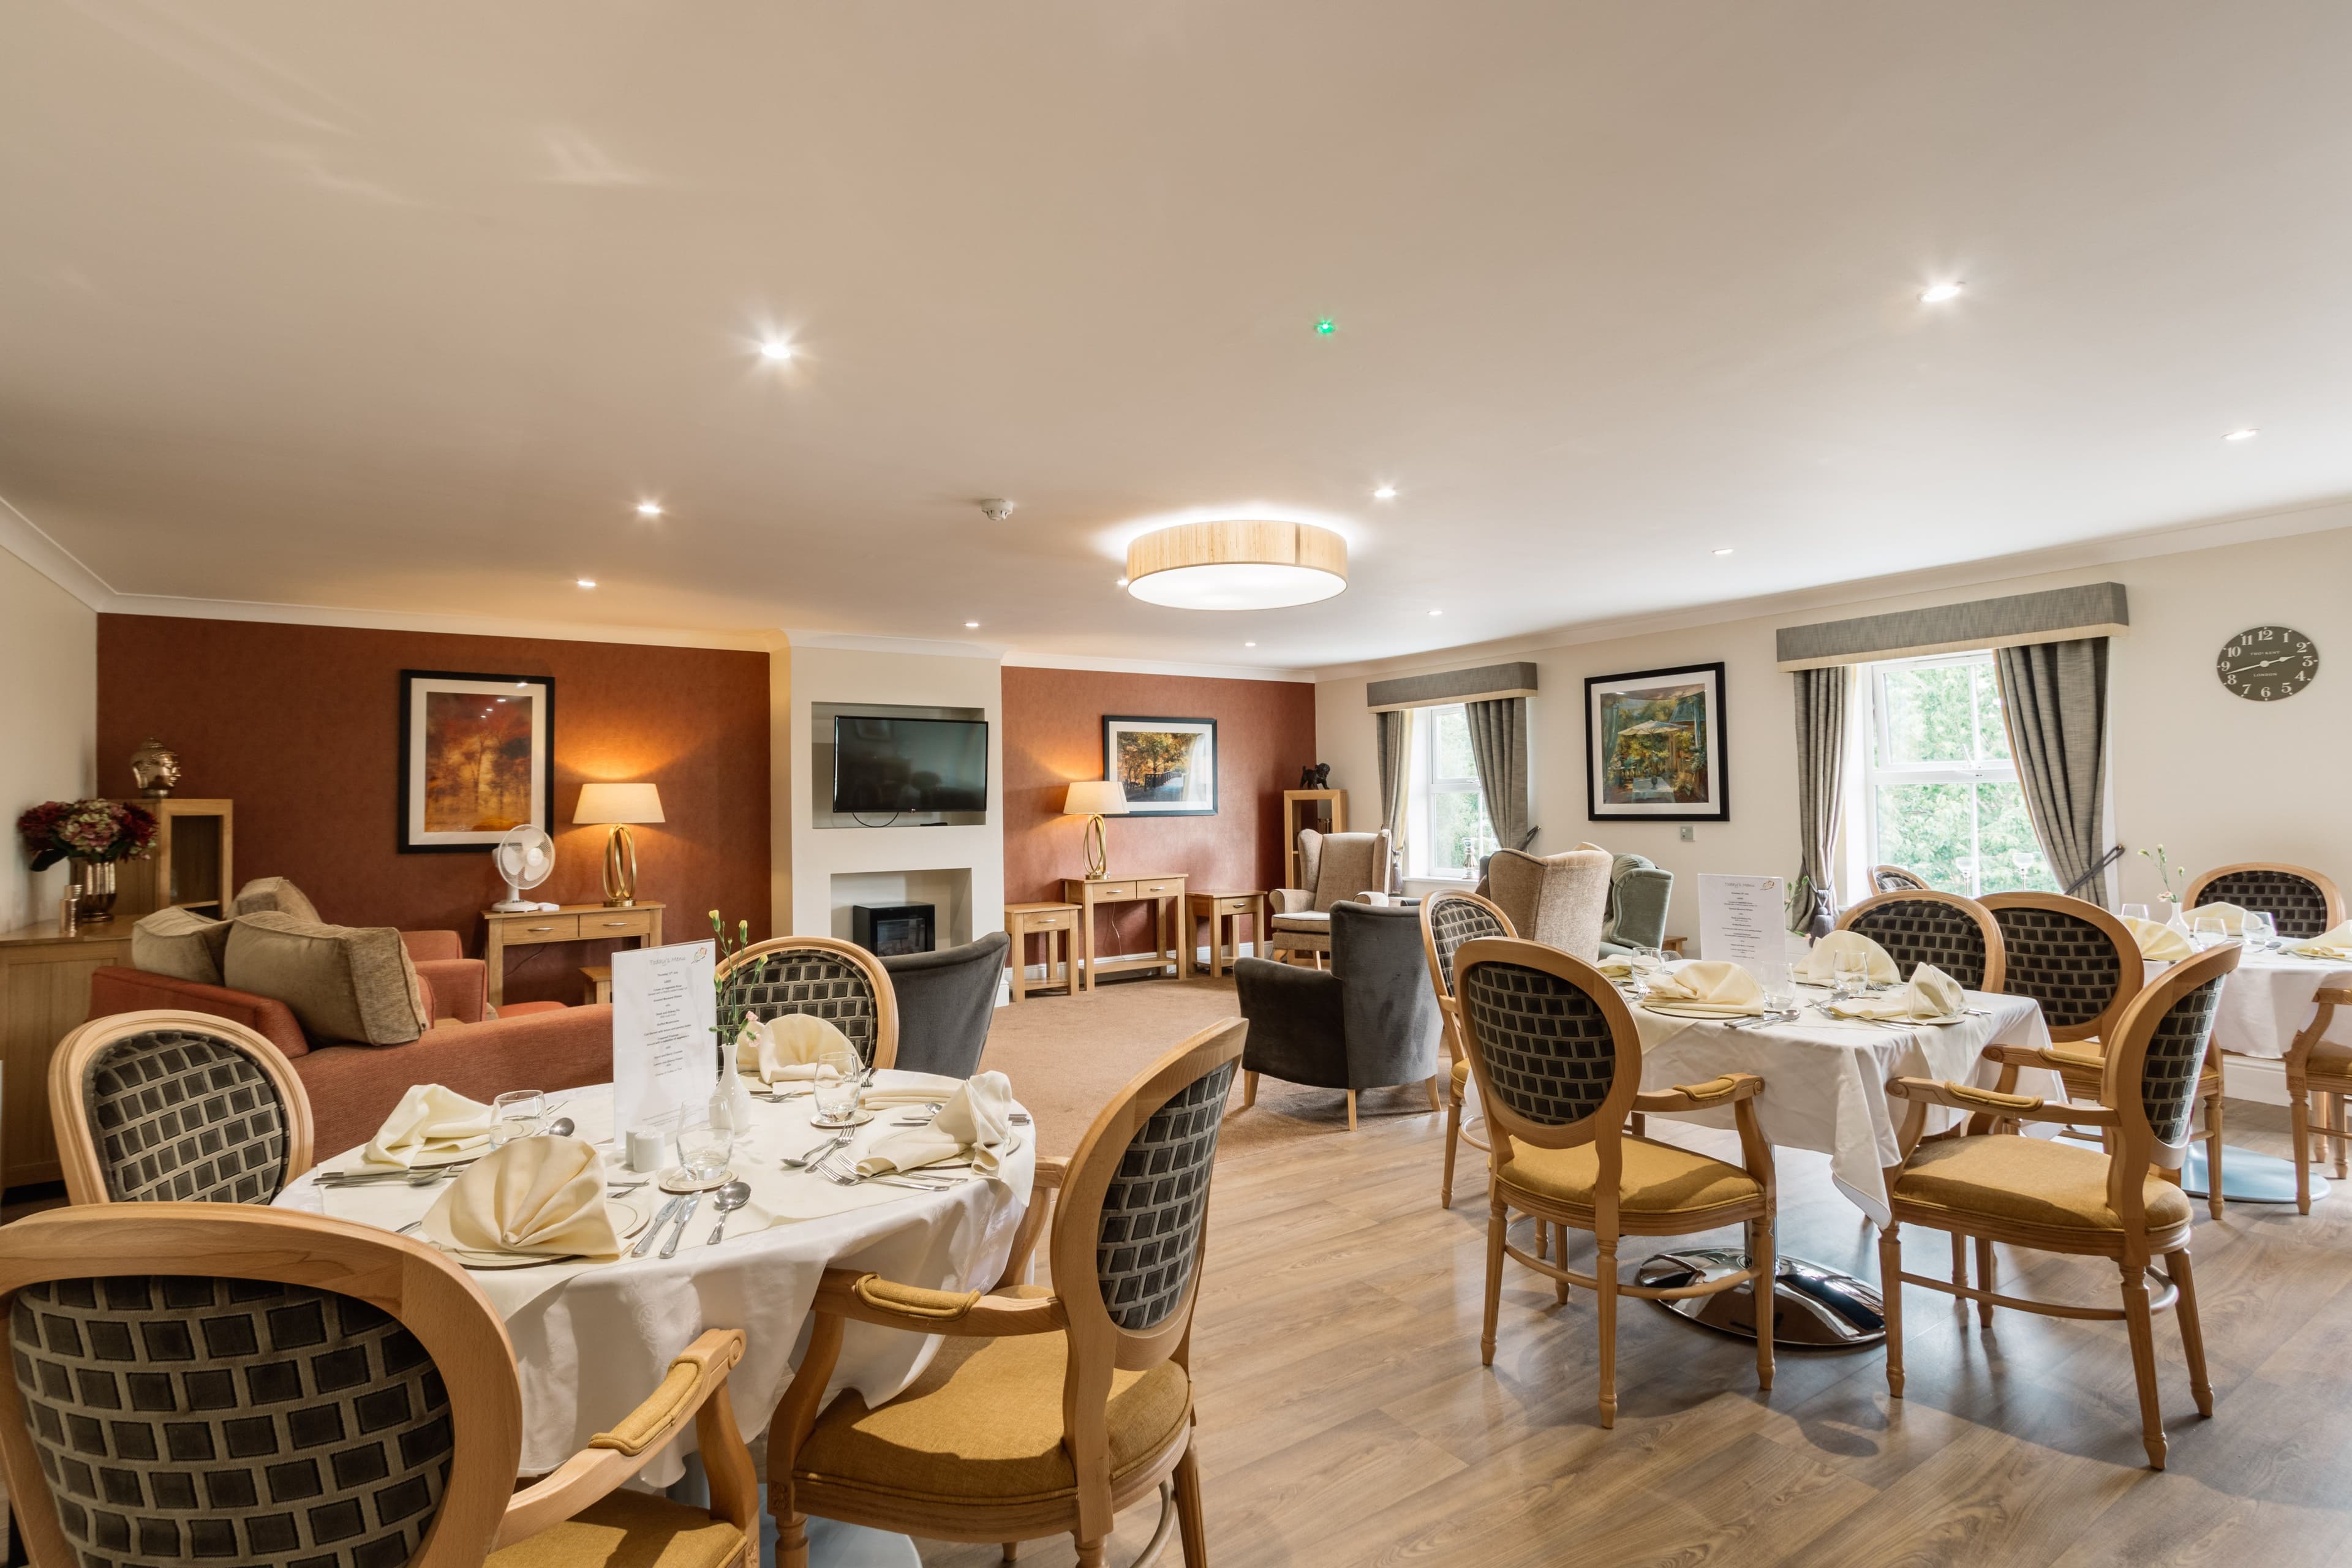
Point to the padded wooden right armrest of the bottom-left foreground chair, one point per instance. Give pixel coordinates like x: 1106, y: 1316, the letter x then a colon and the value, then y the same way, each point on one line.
x: 693, y: 1391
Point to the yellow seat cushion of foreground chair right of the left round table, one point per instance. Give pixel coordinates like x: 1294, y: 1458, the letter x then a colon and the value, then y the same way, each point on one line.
x: 984, y: 1426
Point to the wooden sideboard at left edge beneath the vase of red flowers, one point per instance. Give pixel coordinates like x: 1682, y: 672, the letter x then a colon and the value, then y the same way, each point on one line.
x: 44, y: 998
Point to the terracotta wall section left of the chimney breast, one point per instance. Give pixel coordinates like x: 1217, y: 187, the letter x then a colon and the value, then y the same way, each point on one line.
x: 300, y: 725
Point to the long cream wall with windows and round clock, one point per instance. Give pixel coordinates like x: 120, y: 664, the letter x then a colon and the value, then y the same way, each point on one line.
x: 2207, y: 775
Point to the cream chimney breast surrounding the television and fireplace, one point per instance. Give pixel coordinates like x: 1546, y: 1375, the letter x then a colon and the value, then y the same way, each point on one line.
x: 860, y: 676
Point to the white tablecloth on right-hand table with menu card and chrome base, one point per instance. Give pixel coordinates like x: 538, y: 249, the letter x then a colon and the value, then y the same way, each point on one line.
x: 1826, y: 1078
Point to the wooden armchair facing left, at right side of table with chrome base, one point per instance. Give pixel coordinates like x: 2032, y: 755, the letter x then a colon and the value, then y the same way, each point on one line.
x: 2062, y: 1198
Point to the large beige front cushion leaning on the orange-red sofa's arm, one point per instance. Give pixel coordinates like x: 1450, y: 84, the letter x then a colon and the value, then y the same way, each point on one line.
x: 345, y: 984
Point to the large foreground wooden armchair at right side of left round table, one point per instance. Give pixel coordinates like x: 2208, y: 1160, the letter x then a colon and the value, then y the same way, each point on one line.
x: 1048, y: 1409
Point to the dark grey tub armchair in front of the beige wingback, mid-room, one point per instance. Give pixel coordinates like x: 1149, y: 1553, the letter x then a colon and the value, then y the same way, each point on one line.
x: 1368, y: 1021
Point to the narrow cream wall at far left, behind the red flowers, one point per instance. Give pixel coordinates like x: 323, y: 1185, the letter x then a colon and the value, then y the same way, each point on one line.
x: 48, y: 721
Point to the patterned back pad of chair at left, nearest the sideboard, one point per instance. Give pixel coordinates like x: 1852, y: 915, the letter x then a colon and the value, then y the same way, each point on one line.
x: 185, y: 1118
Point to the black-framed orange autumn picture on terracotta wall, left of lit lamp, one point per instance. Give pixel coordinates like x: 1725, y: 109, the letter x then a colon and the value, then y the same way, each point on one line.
x: 476, y: 758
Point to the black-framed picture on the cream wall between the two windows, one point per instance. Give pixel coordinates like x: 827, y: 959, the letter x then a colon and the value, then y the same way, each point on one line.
x: 1655, y: 746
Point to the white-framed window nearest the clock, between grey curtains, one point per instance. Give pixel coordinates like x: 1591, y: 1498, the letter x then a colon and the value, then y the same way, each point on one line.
x: 1942, y: 789
